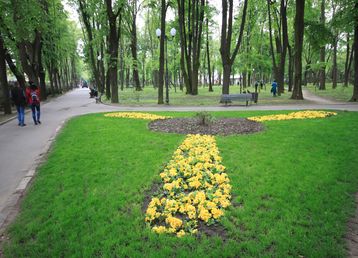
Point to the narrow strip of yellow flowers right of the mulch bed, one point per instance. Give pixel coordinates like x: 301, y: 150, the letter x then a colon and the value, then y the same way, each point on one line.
x: 293, y: 115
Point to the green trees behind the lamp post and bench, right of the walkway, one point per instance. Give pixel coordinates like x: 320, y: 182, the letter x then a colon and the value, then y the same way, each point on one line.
x: 259, y: 40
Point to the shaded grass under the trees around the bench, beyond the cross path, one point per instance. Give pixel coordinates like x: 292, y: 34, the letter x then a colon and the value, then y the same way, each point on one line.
x: 149, y: 96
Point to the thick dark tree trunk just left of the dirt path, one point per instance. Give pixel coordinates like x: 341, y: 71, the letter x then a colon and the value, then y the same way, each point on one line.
x: 299, y: 29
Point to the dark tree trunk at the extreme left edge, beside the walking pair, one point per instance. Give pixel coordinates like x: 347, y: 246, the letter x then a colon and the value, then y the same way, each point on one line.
x: 3, y: 78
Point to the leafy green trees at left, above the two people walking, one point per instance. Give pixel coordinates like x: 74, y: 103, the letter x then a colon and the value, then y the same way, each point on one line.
x: 39, y: 44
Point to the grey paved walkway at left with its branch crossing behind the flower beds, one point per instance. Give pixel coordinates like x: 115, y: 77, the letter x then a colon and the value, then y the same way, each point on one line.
x: 21, y: 149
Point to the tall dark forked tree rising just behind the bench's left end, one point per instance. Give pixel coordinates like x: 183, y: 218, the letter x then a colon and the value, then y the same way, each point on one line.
x: 227, y: 57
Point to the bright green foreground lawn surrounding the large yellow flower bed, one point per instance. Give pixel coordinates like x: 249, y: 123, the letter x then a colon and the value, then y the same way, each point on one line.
x: 293, y: 187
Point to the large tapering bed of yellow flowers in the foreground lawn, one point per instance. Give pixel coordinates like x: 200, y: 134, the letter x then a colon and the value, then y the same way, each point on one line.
x: 195, y: 187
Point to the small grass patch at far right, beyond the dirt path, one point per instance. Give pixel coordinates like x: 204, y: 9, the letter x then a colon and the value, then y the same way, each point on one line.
x: 339, y: 94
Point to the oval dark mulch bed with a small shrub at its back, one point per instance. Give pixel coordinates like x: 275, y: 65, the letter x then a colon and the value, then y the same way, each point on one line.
x: 220, y: 126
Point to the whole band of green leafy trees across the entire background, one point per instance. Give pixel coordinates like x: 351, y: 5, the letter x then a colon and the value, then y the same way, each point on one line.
x: 272, y: 39
